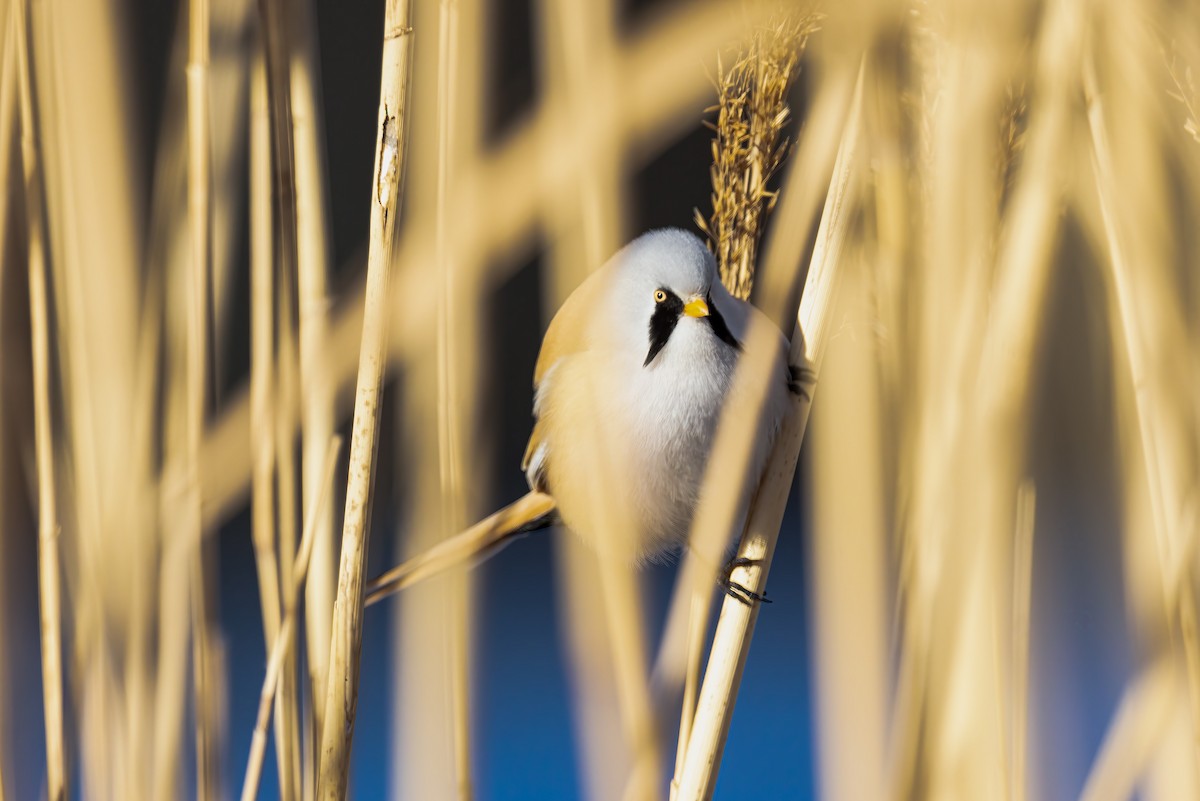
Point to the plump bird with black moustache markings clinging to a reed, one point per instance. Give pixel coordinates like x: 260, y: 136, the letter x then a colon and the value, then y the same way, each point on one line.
x: 629, y: 387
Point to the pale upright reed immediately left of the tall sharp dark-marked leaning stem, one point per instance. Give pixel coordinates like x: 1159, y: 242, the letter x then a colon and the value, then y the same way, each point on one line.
x: 313, y: 264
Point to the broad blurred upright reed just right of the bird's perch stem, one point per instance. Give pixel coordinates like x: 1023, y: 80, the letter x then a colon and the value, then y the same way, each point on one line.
x: 848, y: 555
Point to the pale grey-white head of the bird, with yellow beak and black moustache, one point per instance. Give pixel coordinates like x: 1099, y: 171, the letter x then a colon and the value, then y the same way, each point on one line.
x: 667, y: 292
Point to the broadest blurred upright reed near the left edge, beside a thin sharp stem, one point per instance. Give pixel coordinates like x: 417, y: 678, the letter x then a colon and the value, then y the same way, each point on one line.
x: 93, y: 203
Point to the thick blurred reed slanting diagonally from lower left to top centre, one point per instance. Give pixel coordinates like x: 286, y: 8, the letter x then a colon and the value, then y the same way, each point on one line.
x: 658, y: 106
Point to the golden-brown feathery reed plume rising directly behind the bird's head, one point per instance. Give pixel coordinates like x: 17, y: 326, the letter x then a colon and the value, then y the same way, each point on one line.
x: 751, y: 147
